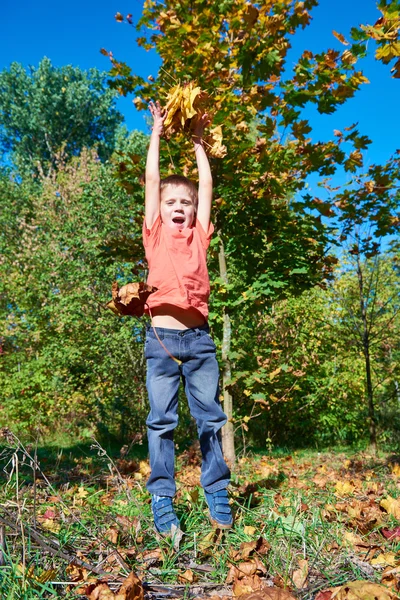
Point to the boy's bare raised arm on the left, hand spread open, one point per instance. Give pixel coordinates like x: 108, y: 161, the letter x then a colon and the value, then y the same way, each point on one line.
x: 152, y: 183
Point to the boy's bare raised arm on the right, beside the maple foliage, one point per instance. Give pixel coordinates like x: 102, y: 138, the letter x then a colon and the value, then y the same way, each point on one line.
x: 205, y: 177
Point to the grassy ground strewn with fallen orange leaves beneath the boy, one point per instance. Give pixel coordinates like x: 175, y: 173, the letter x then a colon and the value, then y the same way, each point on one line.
x: 77, y: 524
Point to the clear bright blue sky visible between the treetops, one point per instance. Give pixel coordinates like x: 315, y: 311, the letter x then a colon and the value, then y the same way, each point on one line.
x: 73, y: 33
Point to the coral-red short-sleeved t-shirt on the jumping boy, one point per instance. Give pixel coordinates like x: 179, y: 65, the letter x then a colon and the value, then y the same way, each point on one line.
x: 177, y: 265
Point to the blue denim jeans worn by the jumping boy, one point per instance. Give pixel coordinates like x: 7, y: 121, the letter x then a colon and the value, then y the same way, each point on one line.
x: 199, y: 373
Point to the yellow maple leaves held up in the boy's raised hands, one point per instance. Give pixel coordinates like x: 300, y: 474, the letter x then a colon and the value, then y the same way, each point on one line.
x: 185, y: 105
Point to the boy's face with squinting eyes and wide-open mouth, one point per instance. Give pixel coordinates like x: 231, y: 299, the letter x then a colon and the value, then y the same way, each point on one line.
x: 177, y: 208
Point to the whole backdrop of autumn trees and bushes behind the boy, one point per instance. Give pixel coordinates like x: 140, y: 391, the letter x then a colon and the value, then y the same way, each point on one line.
x: 305, y: 264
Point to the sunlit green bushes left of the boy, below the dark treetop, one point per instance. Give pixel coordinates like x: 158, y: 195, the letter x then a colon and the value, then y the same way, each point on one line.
x: 67, y: 361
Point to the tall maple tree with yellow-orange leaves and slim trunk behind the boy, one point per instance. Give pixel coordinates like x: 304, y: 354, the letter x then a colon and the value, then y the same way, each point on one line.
x: 271, y: 240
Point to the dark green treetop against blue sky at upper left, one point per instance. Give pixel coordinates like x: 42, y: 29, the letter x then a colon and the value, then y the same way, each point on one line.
x: 49, y: 113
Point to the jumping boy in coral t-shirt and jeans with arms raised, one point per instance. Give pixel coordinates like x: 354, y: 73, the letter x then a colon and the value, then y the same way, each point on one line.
x: 176, y: 235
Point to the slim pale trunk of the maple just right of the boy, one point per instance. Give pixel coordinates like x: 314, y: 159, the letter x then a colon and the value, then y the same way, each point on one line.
x: 228, y: 438
